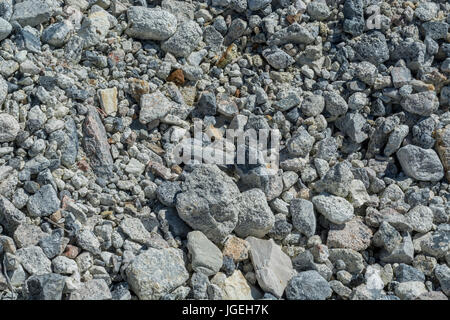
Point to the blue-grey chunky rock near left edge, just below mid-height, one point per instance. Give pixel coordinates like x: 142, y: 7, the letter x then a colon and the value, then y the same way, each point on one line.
x: 44, y: 202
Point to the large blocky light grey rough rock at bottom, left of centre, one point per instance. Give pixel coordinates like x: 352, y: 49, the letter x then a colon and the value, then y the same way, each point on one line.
x: 156, y: 272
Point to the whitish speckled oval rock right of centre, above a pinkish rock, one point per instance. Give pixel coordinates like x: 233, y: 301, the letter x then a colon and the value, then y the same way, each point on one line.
x: 335, y: 209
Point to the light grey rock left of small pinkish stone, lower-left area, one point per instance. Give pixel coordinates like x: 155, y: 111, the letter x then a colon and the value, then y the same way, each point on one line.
x: 33, y: 260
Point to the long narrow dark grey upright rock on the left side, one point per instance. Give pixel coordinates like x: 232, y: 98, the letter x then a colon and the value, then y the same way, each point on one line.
x: 96, y: 145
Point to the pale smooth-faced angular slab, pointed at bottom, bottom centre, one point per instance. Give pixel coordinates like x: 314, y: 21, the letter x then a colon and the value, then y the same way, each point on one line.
x: 273, y: 268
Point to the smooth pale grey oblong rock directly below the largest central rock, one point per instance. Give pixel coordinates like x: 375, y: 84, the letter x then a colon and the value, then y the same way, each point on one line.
x: 206, y: 257
